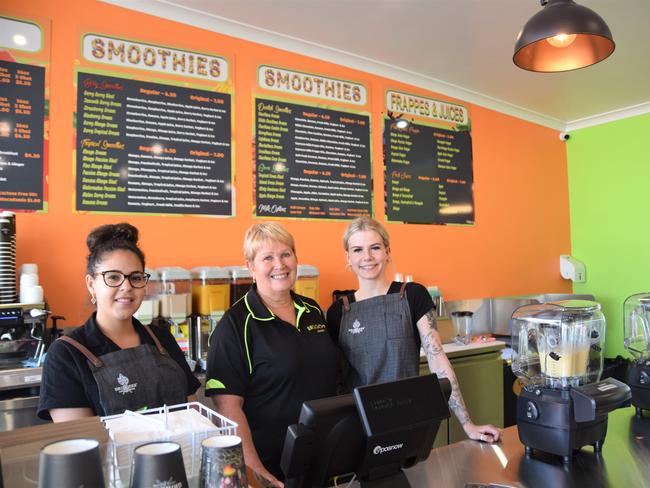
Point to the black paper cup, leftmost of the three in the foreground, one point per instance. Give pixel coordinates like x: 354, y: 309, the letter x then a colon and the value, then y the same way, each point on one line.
x: 71, y: 463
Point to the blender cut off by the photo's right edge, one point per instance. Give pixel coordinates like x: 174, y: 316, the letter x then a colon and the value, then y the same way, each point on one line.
x: 636, y: 330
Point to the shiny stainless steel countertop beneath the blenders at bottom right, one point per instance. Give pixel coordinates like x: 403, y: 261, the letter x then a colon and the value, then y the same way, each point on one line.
x: 624, y: 462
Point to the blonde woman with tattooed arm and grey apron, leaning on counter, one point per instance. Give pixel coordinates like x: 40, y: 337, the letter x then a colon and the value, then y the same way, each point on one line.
x: 380, y: 327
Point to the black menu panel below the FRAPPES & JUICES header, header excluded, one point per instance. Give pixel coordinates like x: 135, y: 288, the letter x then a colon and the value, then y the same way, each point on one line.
x: 428, y: 175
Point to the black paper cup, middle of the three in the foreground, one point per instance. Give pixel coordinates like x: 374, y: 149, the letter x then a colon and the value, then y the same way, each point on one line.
x: 158, y: 465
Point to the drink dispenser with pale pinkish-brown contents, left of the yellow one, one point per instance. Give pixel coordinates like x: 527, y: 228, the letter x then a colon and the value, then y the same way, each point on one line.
x: 176, y: 305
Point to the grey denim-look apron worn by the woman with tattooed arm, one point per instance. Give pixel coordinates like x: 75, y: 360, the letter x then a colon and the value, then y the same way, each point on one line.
x: 377, y: 339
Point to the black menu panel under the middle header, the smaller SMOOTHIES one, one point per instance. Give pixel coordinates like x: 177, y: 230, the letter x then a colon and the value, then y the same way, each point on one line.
x: 311, y: 162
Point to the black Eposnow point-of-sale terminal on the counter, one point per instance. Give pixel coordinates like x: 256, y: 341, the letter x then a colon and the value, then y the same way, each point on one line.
x: 373, y: 433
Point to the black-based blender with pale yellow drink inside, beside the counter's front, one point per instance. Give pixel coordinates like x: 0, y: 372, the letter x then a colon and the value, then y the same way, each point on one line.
x: 559, y: 349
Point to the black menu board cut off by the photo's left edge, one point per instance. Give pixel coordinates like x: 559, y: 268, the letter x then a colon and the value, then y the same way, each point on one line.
x: 22, y: 113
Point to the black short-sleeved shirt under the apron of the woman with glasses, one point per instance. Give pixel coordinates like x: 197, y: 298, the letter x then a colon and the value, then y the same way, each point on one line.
x: 68, y: 381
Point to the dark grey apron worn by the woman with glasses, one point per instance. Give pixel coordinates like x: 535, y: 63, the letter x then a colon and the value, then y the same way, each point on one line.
x: 136, y: 378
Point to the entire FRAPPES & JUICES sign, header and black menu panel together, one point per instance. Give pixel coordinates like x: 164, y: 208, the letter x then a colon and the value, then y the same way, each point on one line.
x: 428, y: 170
